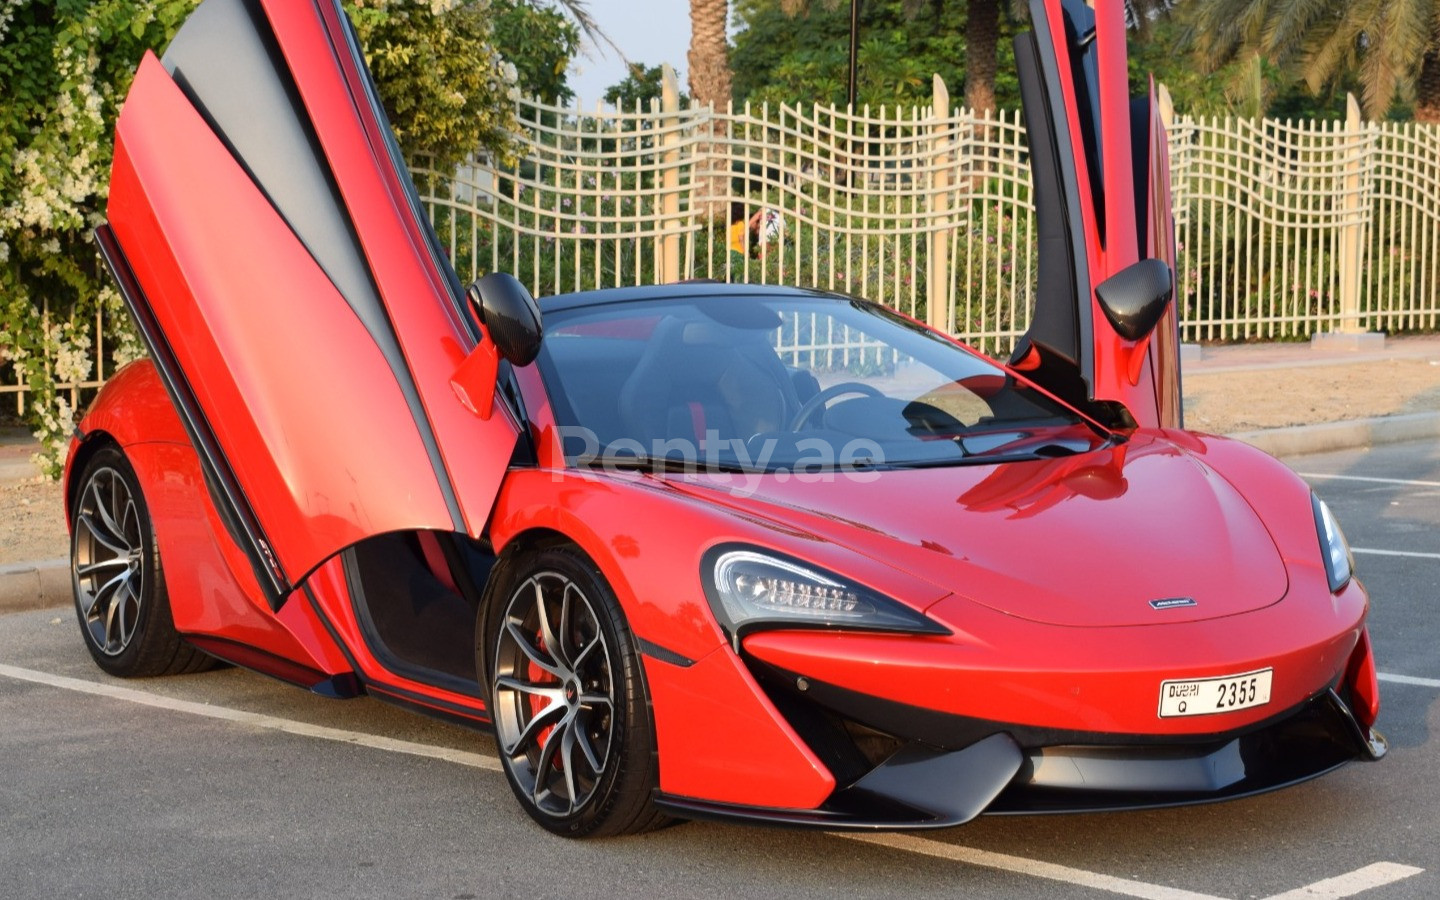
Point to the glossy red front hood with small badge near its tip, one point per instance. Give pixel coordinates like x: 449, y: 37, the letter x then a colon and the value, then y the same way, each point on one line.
x: 1086, y: 541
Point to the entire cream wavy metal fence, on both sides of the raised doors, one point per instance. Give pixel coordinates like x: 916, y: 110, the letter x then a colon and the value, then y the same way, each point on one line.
x: 1284, y: 228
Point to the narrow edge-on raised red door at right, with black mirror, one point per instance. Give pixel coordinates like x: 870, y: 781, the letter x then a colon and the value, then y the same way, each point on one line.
x: 1104, y: 214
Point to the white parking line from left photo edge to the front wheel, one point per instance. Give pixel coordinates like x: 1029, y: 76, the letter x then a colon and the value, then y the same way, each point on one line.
x: 260, y: 721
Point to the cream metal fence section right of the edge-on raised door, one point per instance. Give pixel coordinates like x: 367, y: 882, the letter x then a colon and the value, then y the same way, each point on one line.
x: 1287, y: 230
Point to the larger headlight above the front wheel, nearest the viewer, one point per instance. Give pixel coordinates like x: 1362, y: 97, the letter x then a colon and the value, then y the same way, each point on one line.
x: 751, y: 588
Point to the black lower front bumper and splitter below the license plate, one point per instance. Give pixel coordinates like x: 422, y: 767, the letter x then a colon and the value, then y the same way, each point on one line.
x: 898, y: 765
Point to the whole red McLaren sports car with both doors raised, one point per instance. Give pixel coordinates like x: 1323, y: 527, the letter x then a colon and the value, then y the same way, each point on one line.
x: 702, y: 549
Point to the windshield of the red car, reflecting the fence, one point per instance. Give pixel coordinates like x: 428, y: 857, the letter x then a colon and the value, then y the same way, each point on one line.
x: 786, y: 384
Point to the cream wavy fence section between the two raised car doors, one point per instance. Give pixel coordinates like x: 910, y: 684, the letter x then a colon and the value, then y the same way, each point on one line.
x: 919, y: 208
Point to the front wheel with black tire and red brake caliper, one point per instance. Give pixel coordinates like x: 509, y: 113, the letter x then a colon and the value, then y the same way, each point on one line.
x: 572, y: 716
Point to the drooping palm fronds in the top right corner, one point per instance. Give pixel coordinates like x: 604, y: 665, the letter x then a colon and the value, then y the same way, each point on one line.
x: 1387, y: 42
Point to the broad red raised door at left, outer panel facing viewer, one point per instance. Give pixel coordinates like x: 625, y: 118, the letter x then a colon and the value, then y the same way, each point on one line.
x: 273, y: 250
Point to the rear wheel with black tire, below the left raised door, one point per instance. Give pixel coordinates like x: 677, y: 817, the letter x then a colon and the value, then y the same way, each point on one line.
x: 120, y: 591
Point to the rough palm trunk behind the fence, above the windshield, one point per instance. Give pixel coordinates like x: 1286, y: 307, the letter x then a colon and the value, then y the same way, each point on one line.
x: 711, y: 86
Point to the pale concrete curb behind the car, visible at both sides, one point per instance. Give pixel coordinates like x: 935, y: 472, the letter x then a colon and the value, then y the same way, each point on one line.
x: 45, y: 584
